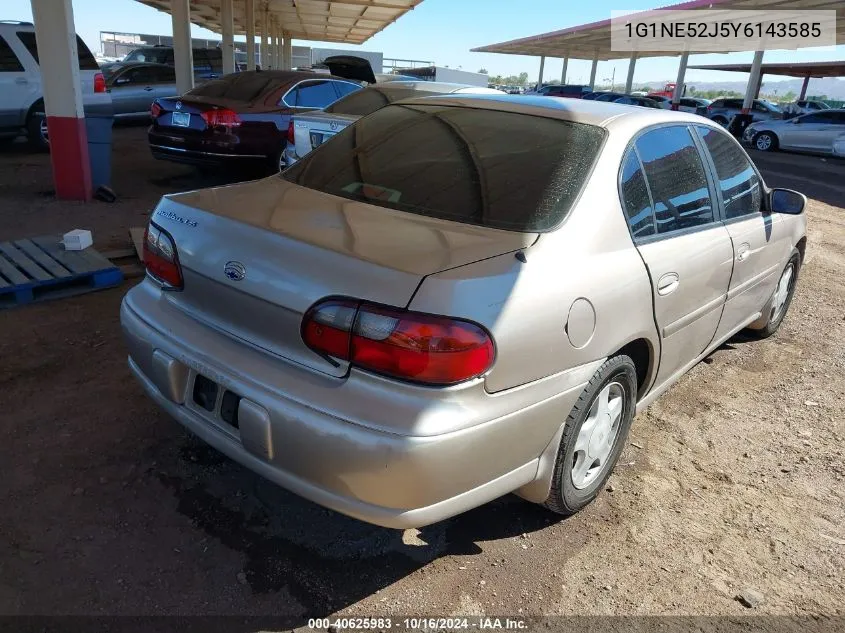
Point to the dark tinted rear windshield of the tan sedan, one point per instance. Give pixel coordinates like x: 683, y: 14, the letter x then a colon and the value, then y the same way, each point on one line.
x: 498, y: 169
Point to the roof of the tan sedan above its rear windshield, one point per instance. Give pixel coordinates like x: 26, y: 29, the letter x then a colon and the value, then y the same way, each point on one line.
x: 600, y: 113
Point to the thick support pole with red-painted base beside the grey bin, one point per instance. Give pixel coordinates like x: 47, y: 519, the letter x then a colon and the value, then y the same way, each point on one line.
x: 55, y: 36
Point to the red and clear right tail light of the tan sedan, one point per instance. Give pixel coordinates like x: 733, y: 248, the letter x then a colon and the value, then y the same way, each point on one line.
x: 409, y: 346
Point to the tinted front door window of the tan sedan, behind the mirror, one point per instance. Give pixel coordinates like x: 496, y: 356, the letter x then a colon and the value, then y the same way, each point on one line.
x: 738, y: 182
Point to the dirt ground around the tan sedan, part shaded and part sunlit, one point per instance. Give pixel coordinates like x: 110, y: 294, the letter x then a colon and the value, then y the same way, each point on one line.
x: 731, y: 480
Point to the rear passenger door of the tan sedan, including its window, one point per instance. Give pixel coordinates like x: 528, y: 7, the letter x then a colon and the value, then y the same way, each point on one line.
x: 684, y: 246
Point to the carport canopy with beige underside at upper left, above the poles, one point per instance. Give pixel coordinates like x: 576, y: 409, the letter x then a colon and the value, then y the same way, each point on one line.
x: 347, y: 21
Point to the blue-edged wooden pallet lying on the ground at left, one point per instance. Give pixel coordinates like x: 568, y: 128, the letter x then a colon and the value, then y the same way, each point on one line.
x: 40, y: 268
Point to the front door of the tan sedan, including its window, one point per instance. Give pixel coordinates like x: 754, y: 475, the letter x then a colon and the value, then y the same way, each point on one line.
x: 760, y: 241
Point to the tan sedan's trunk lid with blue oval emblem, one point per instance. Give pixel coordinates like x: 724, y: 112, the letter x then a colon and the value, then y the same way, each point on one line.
x: 256, y: 256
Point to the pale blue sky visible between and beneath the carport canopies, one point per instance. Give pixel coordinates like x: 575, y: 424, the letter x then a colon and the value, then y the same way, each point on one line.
x: 444, y: 31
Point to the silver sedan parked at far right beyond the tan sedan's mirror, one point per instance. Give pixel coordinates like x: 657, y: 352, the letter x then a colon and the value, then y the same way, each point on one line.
x: 814, y: 132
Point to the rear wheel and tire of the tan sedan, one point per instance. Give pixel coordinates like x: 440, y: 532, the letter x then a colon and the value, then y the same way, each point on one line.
x: 577, y: 479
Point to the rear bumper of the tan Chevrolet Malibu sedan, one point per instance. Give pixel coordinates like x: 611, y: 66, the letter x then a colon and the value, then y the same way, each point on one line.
x: 289, y: 435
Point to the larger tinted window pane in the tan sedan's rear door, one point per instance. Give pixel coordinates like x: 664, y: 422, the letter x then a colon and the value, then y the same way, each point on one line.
x: 676, y: 179
